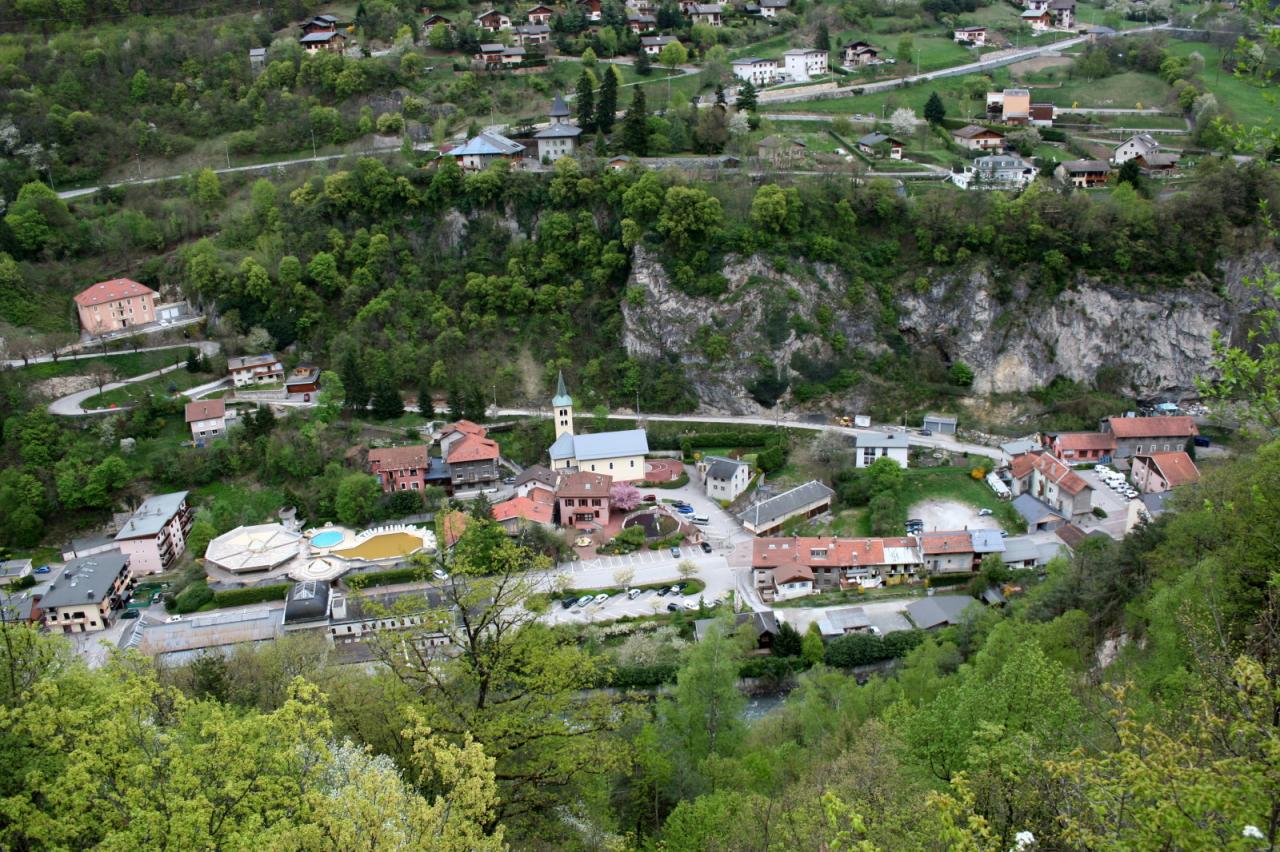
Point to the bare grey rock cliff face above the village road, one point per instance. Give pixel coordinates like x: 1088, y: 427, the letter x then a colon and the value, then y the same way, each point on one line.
x: 1159, y: 342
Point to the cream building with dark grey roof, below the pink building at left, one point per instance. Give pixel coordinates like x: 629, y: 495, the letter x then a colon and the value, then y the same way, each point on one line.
x: 89, y: 594
